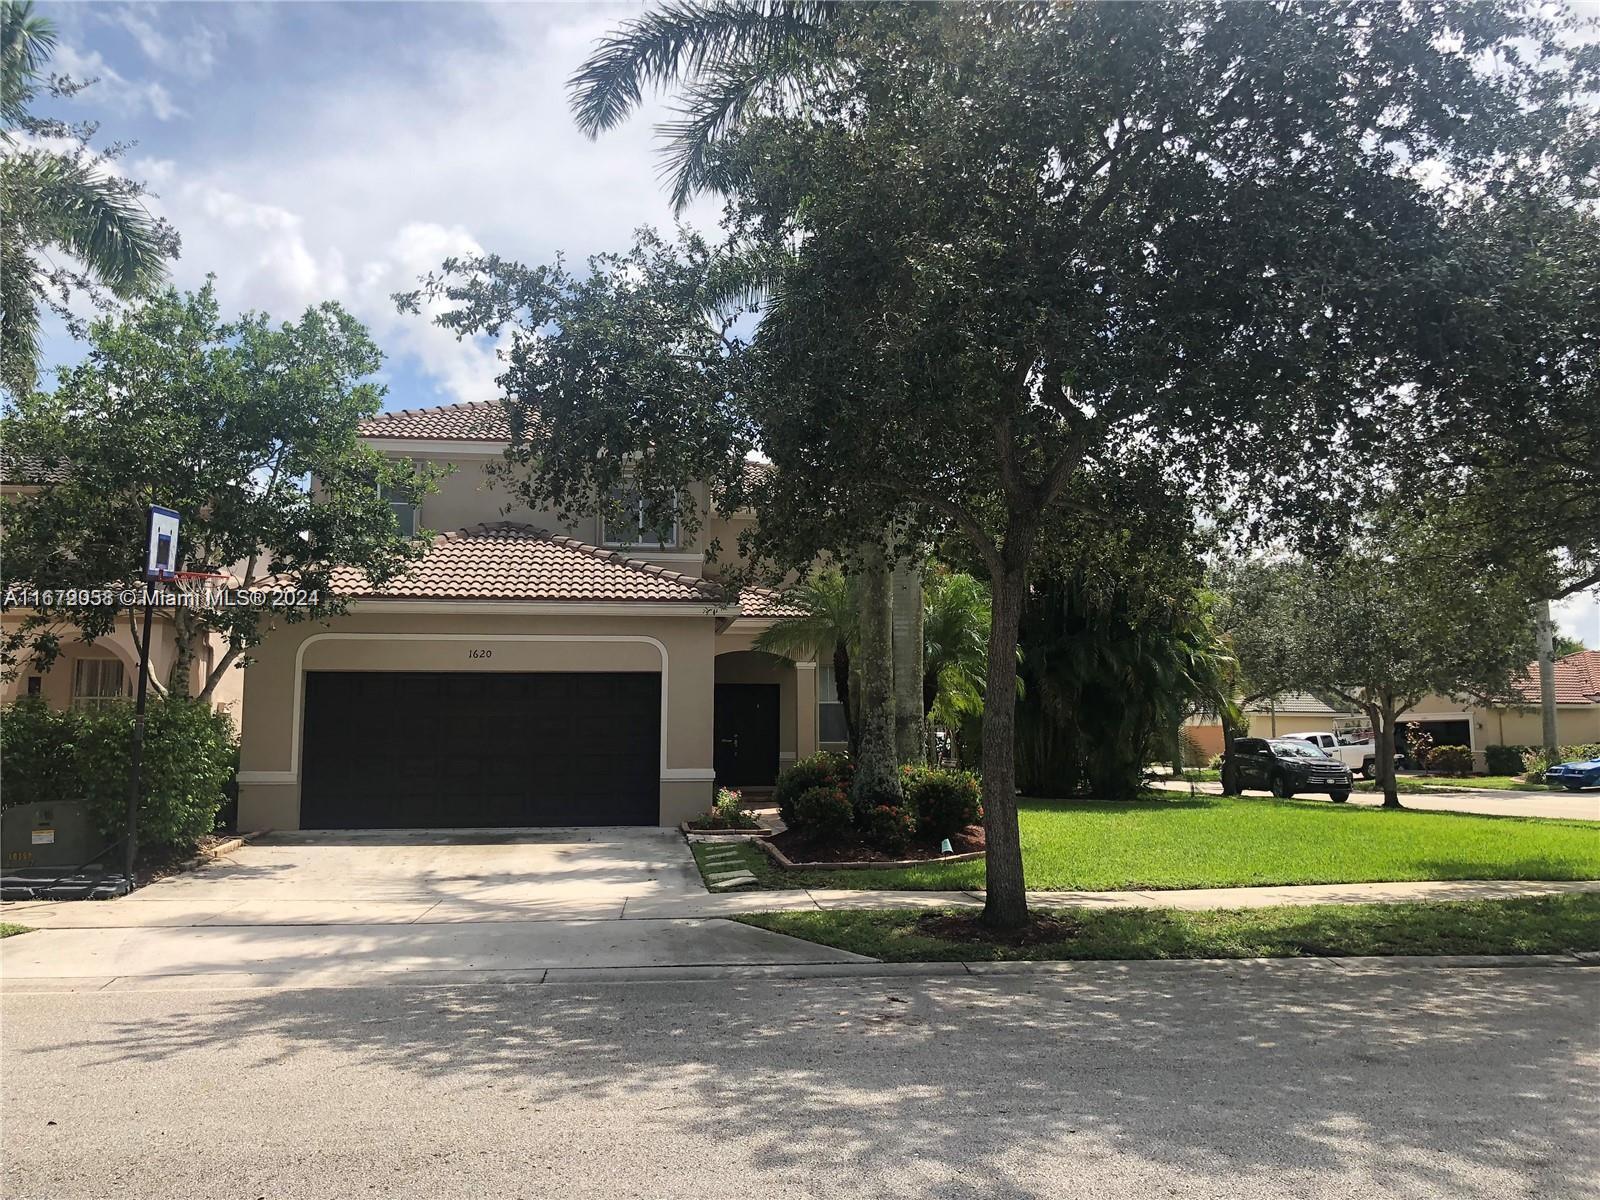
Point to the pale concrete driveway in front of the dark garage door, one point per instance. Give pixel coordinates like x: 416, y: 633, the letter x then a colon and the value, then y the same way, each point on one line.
x: 314, y: 910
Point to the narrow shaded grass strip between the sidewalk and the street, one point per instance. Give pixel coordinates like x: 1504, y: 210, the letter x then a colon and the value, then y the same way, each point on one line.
x: 1537, y: 926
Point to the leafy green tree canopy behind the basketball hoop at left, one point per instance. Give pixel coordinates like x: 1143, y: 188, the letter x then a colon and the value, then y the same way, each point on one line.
x: 247, y: 430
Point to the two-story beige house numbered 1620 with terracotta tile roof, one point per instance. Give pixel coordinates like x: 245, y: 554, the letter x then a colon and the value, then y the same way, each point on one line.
x: 522, y: 673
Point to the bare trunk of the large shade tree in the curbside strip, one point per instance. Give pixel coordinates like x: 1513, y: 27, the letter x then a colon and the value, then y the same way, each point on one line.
x: 1006, y: 905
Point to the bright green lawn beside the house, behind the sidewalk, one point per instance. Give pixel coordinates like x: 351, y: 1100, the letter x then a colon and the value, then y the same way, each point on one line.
x: 1214, y: 842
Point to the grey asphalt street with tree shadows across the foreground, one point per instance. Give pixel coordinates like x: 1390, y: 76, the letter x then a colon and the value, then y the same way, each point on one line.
x: 1292, y: 1079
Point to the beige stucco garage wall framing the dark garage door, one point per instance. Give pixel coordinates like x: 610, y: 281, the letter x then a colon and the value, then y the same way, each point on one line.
x: 393, y: 641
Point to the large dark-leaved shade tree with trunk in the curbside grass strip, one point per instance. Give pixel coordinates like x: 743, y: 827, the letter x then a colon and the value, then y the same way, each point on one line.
x: 1028, y: 266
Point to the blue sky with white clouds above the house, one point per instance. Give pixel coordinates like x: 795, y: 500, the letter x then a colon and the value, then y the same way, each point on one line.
x: 337, y: 151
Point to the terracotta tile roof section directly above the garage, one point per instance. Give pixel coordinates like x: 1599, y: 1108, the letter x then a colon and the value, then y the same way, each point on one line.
x: 505, y: 561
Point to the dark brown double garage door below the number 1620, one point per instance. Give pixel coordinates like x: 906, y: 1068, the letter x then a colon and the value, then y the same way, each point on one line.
x: 444, y: 750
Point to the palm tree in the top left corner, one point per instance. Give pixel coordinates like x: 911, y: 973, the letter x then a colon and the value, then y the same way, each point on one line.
x: 58, y: 201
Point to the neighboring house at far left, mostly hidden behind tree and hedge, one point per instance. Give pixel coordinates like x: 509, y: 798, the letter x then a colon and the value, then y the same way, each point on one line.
x: 94, y: 674
